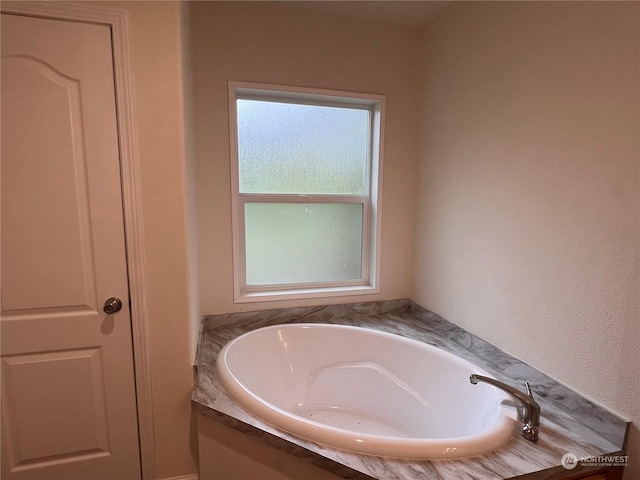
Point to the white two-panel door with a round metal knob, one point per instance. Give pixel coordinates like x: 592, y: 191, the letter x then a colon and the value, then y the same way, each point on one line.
x: 68, y: 392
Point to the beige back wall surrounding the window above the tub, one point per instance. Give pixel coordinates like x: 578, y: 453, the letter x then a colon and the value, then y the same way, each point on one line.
x: 262, y: 43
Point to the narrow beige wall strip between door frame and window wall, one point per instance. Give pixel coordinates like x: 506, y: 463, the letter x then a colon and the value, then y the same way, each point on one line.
x: 155, y: 34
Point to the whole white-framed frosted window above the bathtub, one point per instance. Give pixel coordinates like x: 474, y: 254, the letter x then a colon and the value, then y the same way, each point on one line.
x: 305, y: 167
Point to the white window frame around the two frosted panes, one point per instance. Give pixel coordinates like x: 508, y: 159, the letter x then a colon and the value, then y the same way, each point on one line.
x: 371, y: 201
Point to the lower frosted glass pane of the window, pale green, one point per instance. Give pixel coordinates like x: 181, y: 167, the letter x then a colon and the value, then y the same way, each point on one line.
x: 302, y: 242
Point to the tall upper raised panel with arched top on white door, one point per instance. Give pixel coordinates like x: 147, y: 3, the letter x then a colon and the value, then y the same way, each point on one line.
x: 47, y: 246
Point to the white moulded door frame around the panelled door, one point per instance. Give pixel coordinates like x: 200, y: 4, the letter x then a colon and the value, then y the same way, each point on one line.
x: 118, y: 22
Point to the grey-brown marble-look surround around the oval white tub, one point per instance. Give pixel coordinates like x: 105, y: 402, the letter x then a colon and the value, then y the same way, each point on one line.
x: 569, y: 422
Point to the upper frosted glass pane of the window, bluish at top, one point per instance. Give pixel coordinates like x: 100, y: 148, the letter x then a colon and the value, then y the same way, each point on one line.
x: 302, y: 149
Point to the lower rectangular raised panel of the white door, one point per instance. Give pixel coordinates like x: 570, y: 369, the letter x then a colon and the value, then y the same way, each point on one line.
x: 73, y: 386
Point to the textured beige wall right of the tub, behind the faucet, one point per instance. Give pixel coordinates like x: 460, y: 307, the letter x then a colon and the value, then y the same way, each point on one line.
x: 527, y: 225
